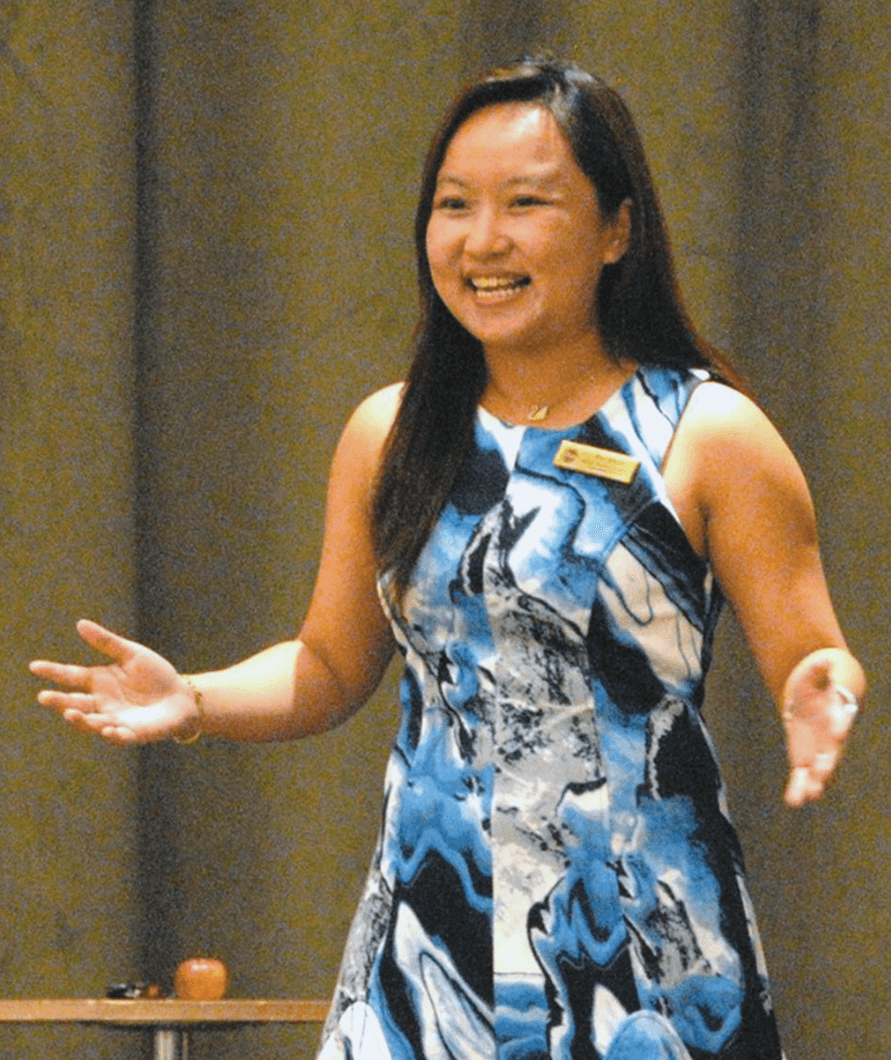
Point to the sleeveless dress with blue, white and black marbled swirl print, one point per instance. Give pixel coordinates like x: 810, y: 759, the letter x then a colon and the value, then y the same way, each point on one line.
x: 557, y: 876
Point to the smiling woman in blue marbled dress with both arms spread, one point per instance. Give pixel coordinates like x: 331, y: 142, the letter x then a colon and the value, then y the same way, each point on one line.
x: 562, y: 494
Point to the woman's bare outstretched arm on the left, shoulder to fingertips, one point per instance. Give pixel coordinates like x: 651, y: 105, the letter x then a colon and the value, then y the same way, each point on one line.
x: 292, y: 690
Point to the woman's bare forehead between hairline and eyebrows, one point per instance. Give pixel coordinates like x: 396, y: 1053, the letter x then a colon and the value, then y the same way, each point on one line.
x: 510, y: 140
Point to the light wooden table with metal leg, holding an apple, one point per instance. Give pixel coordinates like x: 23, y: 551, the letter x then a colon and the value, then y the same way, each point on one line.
x: 170, y: 1021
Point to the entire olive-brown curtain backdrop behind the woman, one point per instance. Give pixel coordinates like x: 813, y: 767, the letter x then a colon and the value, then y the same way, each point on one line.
x: 206, y: 261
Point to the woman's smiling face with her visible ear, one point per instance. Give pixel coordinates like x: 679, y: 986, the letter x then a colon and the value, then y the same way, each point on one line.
x: 515, y: 242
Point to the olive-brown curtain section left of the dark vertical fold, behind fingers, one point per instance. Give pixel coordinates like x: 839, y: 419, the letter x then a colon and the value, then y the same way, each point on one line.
x: 68, y: 900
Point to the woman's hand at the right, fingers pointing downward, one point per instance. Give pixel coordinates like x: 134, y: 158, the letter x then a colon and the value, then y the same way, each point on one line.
x: 818, y: 713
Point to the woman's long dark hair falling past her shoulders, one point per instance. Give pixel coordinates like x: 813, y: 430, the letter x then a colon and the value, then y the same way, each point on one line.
x: 640, y: 311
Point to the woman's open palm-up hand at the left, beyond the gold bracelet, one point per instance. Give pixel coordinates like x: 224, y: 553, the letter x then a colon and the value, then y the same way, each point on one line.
x: 135, y: 699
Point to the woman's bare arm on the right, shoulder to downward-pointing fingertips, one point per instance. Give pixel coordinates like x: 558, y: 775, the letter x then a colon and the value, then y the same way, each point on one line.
x: 746, y: 506
